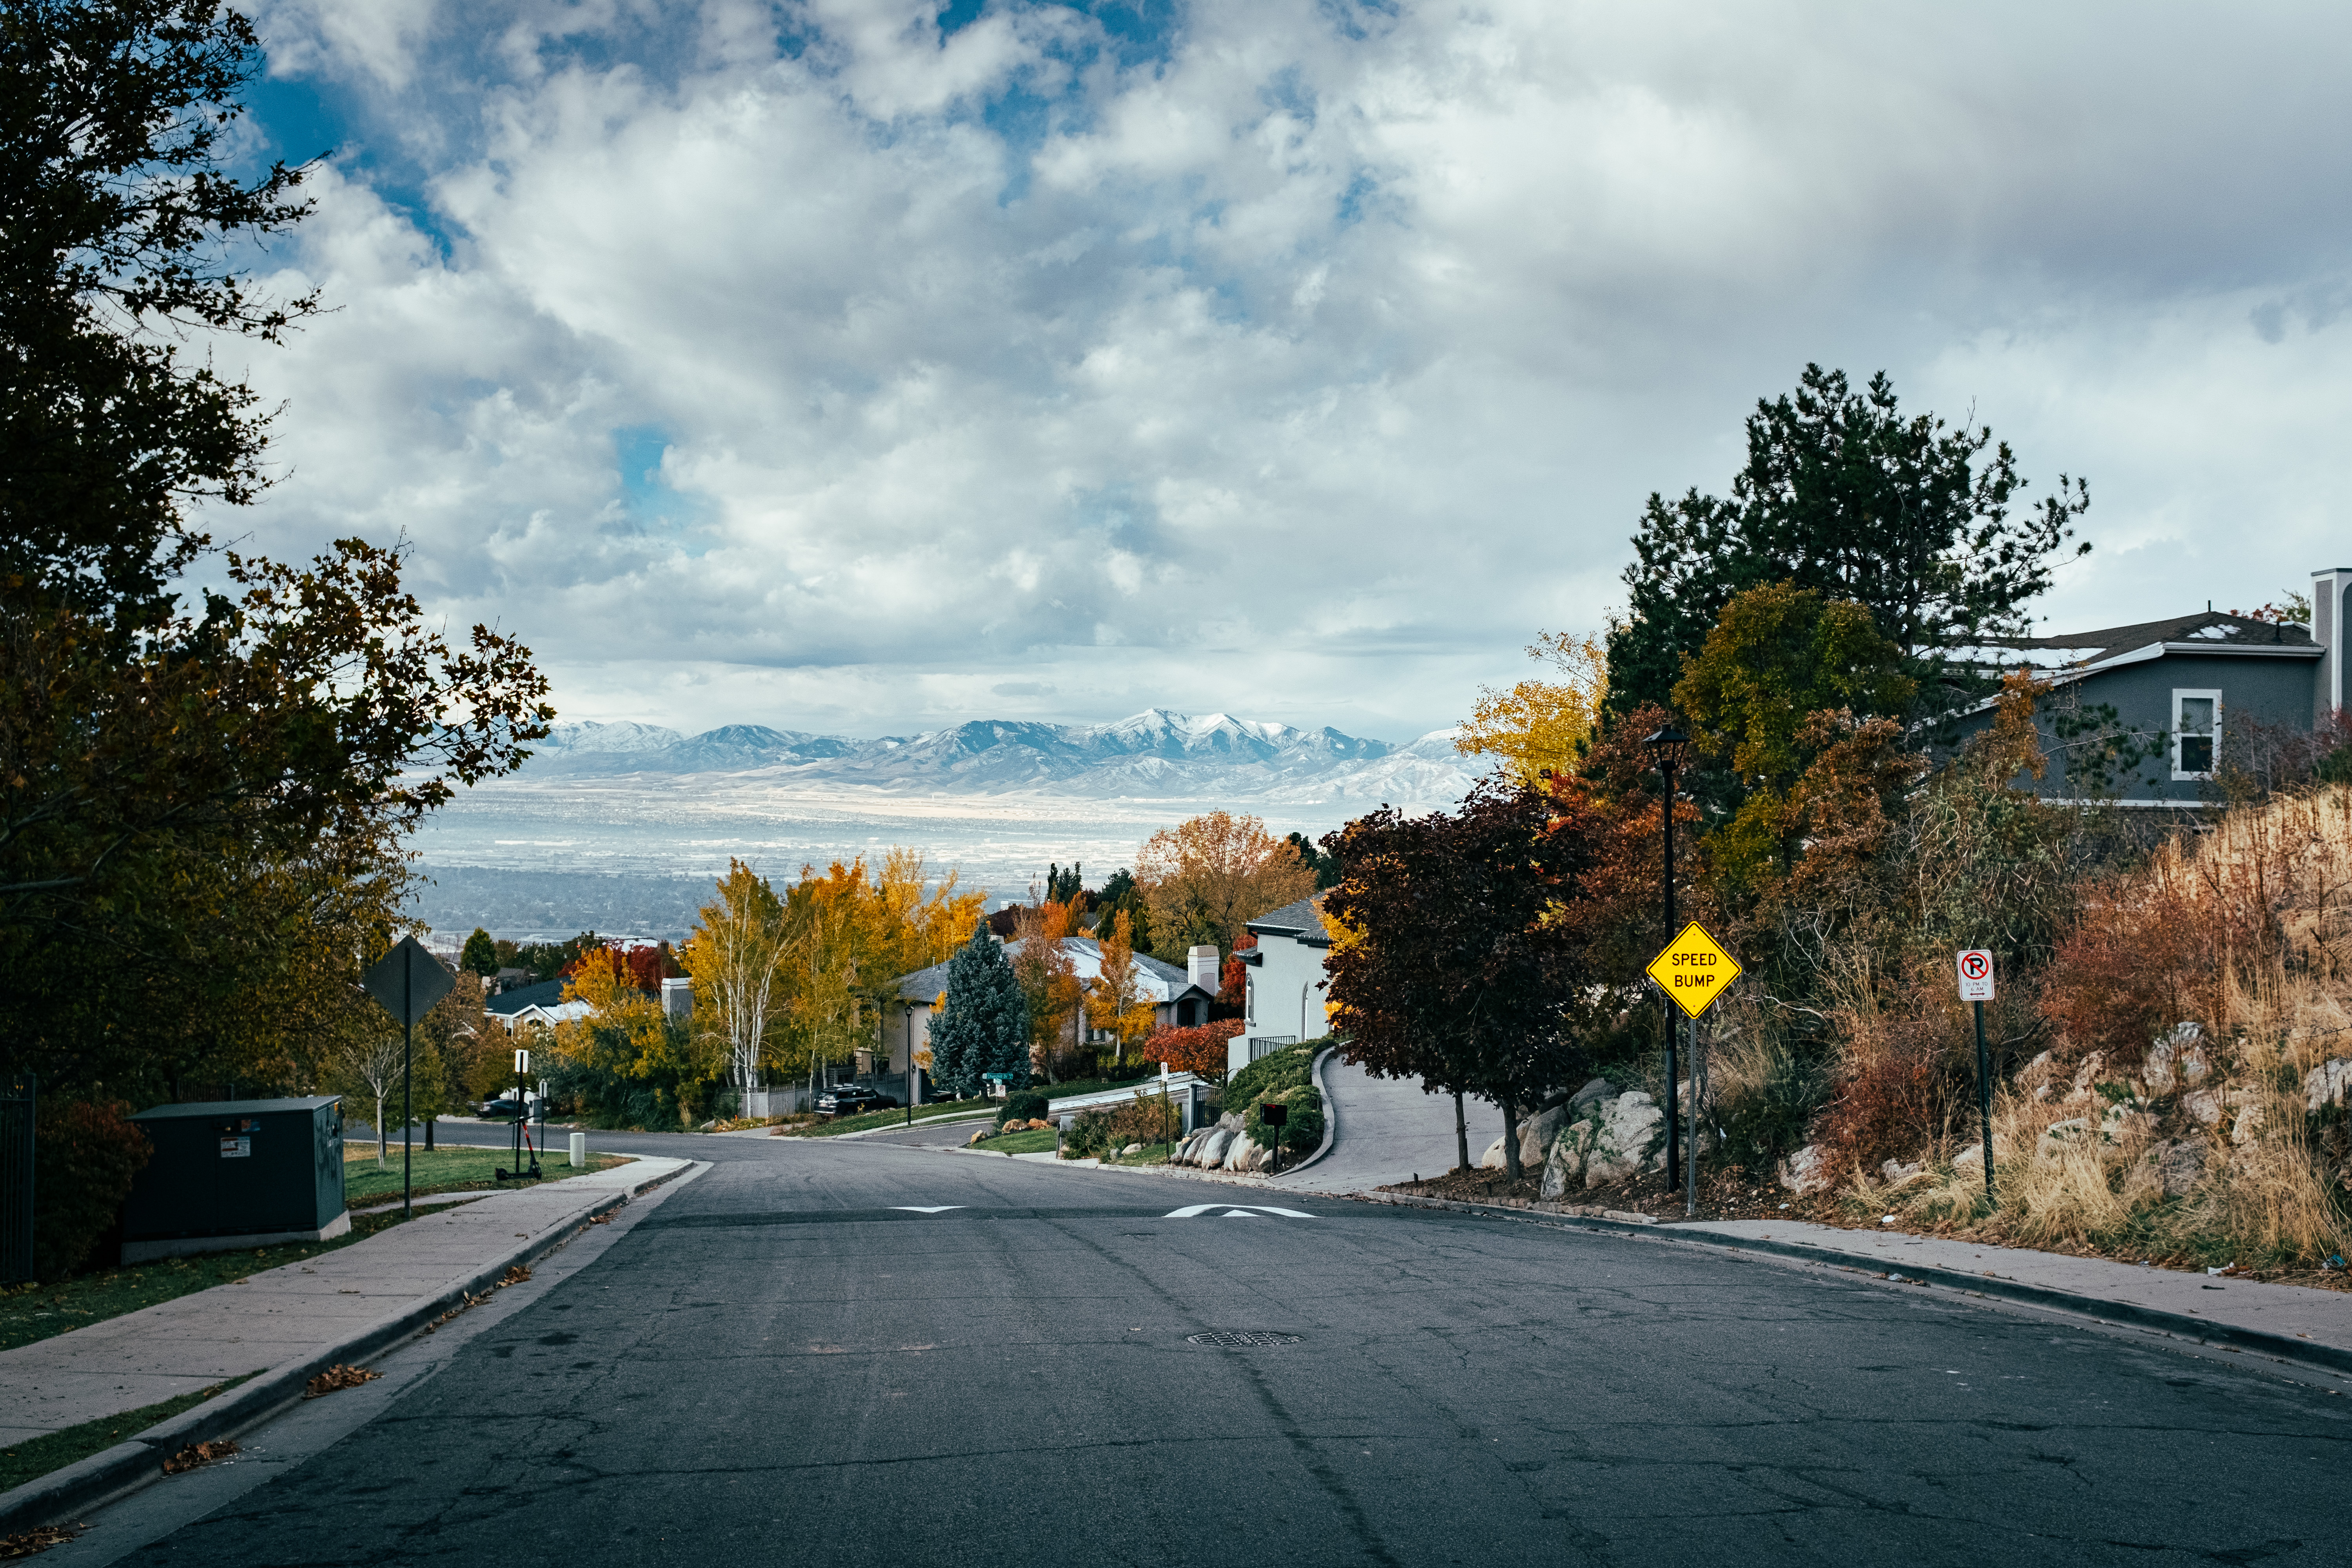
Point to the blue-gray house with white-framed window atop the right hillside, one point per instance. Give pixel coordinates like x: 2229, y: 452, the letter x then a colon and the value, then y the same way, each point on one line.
x: 2146, y: 713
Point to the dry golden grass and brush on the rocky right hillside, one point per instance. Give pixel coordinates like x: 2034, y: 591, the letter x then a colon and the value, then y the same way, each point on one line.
x: 2243, y: 930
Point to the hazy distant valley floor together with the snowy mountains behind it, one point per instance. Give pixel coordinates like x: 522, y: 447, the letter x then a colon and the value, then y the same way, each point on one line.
x: 622, y: 826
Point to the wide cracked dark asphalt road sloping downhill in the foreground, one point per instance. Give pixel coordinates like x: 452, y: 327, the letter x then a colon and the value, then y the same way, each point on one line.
x: 784, y: 1362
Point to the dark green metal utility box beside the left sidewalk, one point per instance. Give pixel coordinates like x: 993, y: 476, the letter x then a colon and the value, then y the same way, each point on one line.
x: 236, y: 1174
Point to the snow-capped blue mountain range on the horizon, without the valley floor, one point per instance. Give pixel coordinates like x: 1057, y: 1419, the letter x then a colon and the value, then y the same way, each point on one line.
x: 1154, y: 756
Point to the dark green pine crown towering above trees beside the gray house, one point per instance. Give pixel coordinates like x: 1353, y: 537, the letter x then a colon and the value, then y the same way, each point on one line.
x: 1906, y: 516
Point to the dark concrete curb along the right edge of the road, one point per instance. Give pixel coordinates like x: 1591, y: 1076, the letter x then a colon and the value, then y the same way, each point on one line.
x: 2120, y: 1315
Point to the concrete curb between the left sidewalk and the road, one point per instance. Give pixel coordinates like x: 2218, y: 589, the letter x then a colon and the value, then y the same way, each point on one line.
x: 138, y: 1461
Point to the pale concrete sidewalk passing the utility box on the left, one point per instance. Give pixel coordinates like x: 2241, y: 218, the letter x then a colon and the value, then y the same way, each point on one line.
x: 293, y: 1313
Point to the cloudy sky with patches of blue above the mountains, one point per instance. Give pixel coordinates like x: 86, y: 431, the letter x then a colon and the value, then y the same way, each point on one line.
x: 876, y: 366
